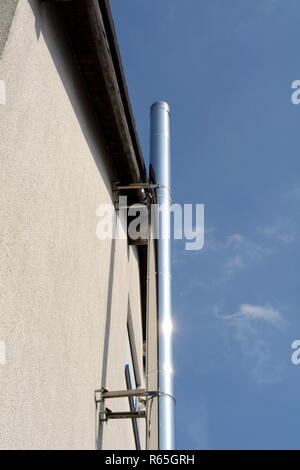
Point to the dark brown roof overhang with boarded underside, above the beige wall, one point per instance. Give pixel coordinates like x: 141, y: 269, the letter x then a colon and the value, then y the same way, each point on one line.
x: 92, y: 34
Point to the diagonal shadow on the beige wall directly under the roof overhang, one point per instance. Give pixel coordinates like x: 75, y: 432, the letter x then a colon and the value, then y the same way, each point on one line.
x: 49, y: 24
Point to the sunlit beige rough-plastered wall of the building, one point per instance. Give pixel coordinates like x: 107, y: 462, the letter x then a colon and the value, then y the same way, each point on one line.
x: 63, y: 293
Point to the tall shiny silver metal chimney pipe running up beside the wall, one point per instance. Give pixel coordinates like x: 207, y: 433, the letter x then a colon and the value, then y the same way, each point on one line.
x: 160, y: 162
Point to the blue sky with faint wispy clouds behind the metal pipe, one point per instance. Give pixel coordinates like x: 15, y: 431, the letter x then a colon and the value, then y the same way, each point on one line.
x: 226, y: 69
